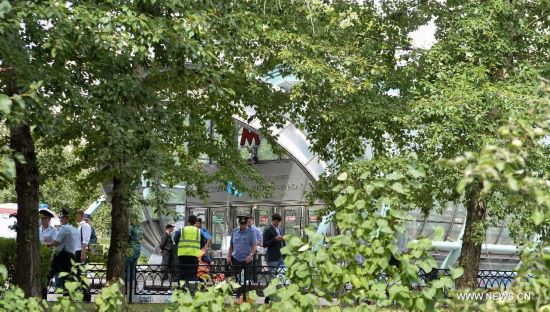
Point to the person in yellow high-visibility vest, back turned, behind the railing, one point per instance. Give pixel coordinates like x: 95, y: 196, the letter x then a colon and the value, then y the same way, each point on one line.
x: 188, y: 240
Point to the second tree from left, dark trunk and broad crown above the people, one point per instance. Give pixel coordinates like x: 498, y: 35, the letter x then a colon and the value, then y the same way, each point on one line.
x: 159, y: 72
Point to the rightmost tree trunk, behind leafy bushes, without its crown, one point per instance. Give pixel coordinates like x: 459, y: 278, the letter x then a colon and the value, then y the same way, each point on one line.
x: 474, y: 236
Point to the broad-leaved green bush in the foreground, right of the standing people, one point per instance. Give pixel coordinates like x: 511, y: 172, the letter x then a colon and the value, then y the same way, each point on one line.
x: 351, y: 265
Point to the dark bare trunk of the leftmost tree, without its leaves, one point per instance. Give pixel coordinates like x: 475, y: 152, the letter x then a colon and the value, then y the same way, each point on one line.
x: 27, y: 268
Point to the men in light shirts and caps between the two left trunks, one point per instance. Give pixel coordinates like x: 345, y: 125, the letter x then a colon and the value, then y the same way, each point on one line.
x: 70, y: 243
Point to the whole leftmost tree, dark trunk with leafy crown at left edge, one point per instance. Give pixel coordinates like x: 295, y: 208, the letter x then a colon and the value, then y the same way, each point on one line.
x: 36, y: 79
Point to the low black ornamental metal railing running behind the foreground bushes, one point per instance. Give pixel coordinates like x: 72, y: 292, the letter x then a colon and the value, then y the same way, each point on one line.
x: 159, y: 280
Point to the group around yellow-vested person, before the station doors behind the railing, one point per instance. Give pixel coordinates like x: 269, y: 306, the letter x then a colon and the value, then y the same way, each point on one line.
x: 187, y: 248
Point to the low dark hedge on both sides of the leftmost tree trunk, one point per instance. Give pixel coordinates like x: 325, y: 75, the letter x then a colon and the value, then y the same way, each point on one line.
x: 8, y: 258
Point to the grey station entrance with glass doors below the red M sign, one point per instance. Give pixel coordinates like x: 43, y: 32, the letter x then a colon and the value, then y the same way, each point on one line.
x: 289, y: 184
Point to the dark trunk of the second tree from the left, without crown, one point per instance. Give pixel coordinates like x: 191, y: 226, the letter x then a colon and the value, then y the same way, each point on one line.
x: 119, y: 231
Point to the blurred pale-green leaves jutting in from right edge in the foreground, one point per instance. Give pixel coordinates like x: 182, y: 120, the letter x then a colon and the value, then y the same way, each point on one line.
x: 517, y: 170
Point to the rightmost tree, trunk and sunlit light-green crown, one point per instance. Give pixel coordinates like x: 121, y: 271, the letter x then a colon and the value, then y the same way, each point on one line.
x: 482, y: 72
